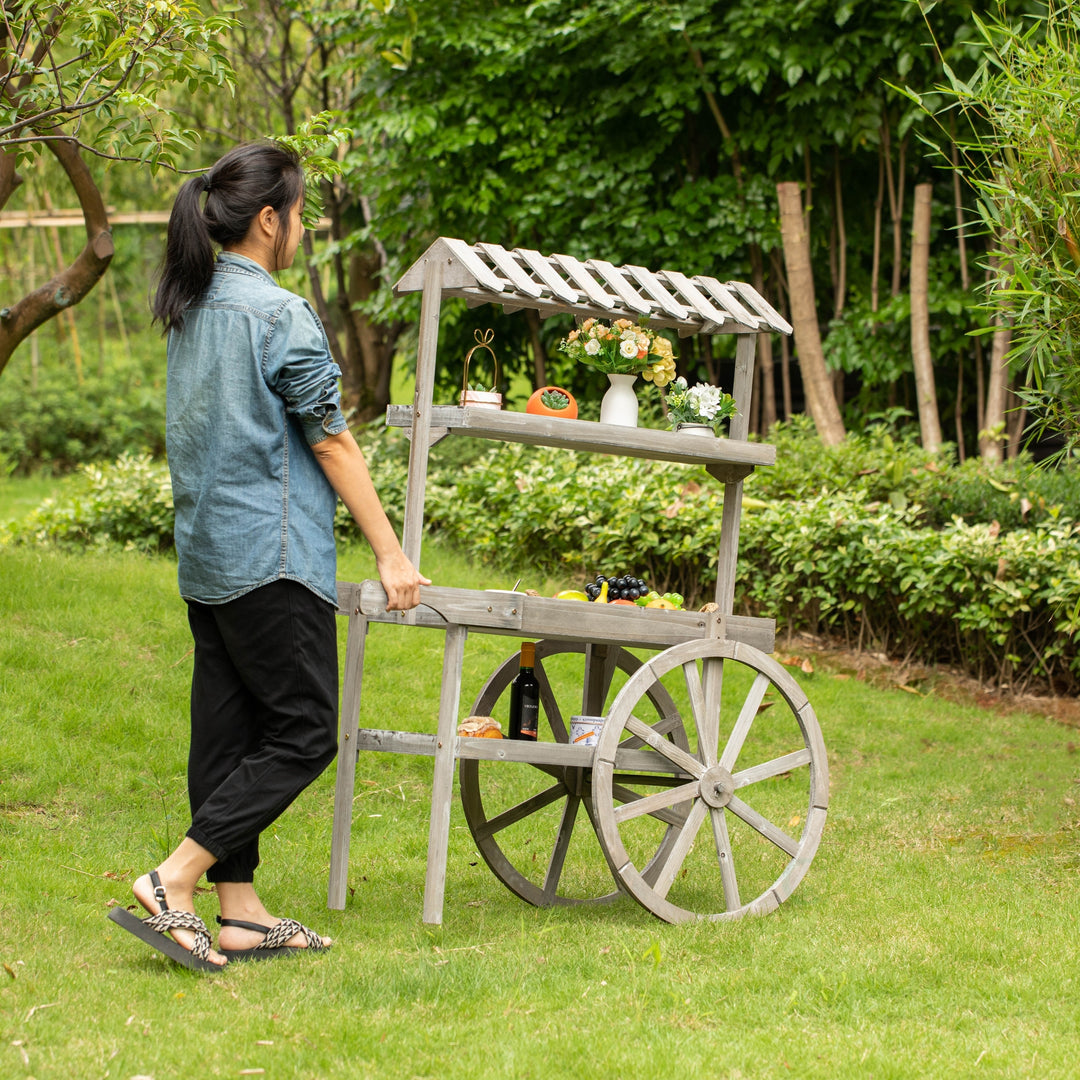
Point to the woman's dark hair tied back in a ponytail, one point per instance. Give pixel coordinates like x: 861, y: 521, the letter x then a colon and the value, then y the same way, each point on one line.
x: 238, y: 186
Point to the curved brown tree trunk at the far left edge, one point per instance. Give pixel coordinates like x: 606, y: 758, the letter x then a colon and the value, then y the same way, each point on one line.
x: 74, y: 282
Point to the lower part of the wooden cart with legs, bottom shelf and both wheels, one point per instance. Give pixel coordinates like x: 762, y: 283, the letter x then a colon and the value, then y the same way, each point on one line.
x: 708, y: 807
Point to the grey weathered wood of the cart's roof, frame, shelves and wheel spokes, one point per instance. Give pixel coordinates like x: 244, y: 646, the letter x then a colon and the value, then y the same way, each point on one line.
x: 645, y: 754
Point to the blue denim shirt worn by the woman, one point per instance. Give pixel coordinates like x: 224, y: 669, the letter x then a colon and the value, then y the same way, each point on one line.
x: 251, y: 387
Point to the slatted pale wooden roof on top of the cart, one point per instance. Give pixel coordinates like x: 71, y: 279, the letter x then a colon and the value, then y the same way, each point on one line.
x: 523, y: 278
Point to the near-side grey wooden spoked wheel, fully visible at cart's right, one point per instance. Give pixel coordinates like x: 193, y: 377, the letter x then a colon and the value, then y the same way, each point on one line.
x: 757, y: 774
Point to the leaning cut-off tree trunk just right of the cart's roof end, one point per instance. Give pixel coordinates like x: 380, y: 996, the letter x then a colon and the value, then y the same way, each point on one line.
x: 816, y: 379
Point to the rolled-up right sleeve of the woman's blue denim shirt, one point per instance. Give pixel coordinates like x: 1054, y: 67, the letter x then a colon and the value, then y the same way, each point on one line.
x: 299, y: 367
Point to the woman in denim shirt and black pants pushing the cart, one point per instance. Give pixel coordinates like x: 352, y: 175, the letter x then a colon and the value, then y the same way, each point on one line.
x: 259, y: 453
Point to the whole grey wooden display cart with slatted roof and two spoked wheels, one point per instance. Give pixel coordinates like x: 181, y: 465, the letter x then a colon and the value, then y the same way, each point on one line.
x: 744, y: 752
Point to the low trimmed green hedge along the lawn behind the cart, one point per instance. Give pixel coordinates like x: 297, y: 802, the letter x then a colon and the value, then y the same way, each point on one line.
x: 857, y: 556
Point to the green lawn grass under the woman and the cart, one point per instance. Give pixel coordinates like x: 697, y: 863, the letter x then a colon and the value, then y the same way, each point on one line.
x: 935, y: 936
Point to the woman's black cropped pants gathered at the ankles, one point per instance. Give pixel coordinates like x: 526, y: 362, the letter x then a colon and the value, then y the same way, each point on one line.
x: 264, y: 715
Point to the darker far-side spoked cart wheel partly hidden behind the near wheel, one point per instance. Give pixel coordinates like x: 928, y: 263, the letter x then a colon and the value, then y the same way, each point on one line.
x: 523, y: 816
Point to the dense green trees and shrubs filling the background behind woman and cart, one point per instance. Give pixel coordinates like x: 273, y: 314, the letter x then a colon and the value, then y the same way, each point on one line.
x: 652, y: 133
